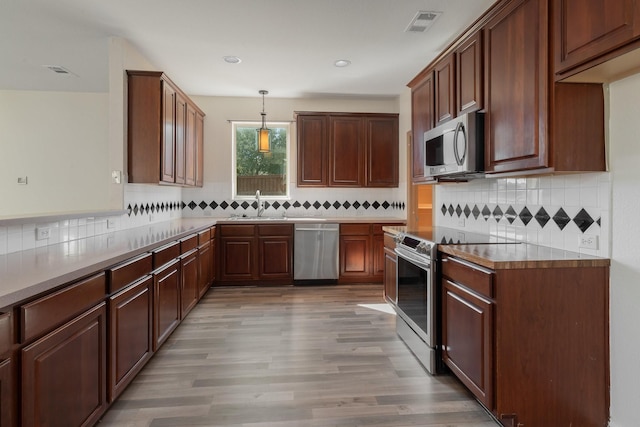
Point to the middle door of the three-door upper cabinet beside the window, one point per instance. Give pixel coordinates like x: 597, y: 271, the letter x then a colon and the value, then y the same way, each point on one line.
x: 346, y: 145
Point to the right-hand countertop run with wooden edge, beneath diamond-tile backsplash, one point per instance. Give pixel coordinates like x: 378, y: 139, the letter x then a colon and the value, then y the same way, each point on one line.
x: 498, y: 253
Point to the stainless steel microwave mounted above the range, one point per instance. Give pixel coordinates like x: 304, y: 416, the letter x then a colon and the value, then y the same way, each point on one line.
x: 455, y: 149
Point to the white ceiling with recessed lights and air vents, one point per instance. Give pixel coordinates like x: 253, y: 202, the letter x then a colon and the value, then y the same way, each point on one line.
x: 287, y: 47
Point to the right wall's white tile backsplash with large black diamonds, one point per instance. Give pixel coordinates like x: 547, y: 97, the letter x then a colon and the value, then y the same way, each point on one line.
x: 553, y: 211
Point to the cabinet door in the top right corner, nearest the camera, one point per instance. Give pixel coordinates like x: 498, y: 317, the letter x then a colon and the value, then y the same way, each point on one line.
x: 587, y: 29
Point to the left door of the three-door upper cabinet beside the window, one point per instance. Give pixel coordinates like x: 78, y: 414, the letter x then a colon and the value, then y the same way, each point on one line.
x: 313, y: 148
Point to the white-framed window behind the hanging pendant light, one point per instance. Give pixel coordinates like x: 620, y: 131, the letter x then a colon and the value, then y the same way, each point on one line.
x: 252, y: 170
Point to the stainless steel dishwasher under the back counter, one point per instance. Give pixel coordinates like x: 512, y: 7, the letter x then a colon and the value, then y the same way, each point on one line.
x: 315, y: 252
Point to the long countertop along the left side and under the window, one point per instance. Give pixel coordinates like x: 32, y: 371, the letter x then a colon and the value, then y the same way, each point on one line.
x: 30, y: 272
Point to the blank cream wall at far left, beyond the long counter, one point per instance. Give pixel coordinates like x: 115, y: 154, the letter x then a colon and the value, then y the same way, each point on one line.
x: 59, y: 141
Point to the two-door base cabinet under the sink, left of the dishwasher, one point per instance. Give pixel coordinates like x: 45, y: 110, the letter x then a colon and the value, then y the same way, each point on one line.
x: 260, y: 252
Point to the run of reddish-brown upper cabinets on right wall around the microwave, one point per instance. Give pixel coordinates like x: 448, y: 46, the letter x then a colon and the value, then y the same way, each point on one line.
x: 504, y: 65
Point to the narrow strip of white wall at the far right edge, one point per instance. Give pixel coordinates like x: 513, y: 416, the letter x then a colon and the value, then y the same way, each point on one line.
x: 624, y: 132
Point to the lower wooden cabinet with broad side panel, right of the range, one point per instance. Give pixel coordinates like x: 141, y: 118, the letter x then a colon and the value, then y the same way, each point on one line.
x: 523, y: 340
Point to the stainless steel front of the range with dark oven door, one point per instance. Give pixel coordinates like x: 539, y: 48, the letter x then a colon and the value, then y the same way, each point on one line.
x: 416, y: 303
